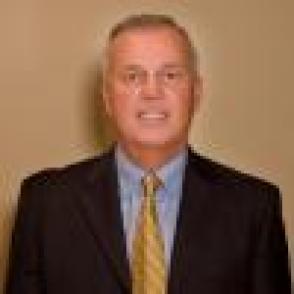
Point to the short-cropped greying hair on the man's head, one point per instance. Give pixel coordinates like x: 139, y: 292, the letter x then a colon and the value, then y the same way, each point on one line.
x: 145, y: 21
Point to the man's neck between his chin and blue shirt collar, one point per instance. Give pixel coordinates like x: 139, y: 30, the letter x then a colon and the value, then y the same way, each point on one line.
x: 151, y: 157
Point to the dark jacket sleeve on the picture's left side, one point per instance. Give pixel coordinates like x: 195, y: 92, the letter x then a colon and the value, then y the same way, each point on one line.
x: 25, y: 272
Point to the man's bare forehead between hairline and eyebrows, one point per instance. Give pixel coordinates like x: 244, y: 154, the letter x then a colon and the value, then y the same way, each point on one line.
x: 148, y: 45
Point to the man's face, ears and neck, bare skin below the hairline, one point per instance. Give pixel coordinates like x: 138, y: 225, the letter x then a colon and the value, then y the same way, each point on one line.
x: 150, y: 93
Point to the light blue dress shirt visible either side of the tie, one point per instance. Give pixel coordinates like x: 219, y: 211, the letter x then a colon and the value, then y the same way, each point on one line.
x: 167, y: 197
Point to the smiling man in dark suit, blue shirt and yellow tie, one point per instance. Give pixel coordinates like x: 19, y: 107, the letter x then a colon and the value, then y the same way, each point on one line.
x: 206, y: 228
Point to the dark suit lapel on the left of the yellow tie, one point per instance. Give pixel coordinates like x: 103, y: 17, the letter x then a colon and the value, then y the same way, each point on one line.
x: 100, y: 207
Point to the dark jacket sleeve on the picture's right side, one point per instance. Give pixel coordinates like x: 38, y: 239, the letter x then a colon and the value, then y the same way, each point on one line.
x: 271, y: 270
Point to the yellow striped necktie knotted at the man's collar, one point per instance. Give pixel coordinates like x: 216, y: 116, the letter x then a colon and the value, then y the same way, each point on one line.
x: 148, y: 262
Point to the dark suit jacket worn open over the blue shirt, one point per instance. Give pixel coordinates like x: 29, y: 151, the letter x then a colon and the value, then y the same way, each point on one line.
x: 69, y: 239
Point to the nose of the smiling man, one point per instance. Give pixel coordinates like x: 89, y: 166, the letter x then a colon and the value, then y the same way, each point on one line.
x: 151, y: 88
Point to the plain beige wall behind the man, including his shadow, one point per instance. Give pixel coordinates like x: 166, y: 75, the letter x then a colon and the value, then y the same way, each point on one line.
x: 48, y: 85
